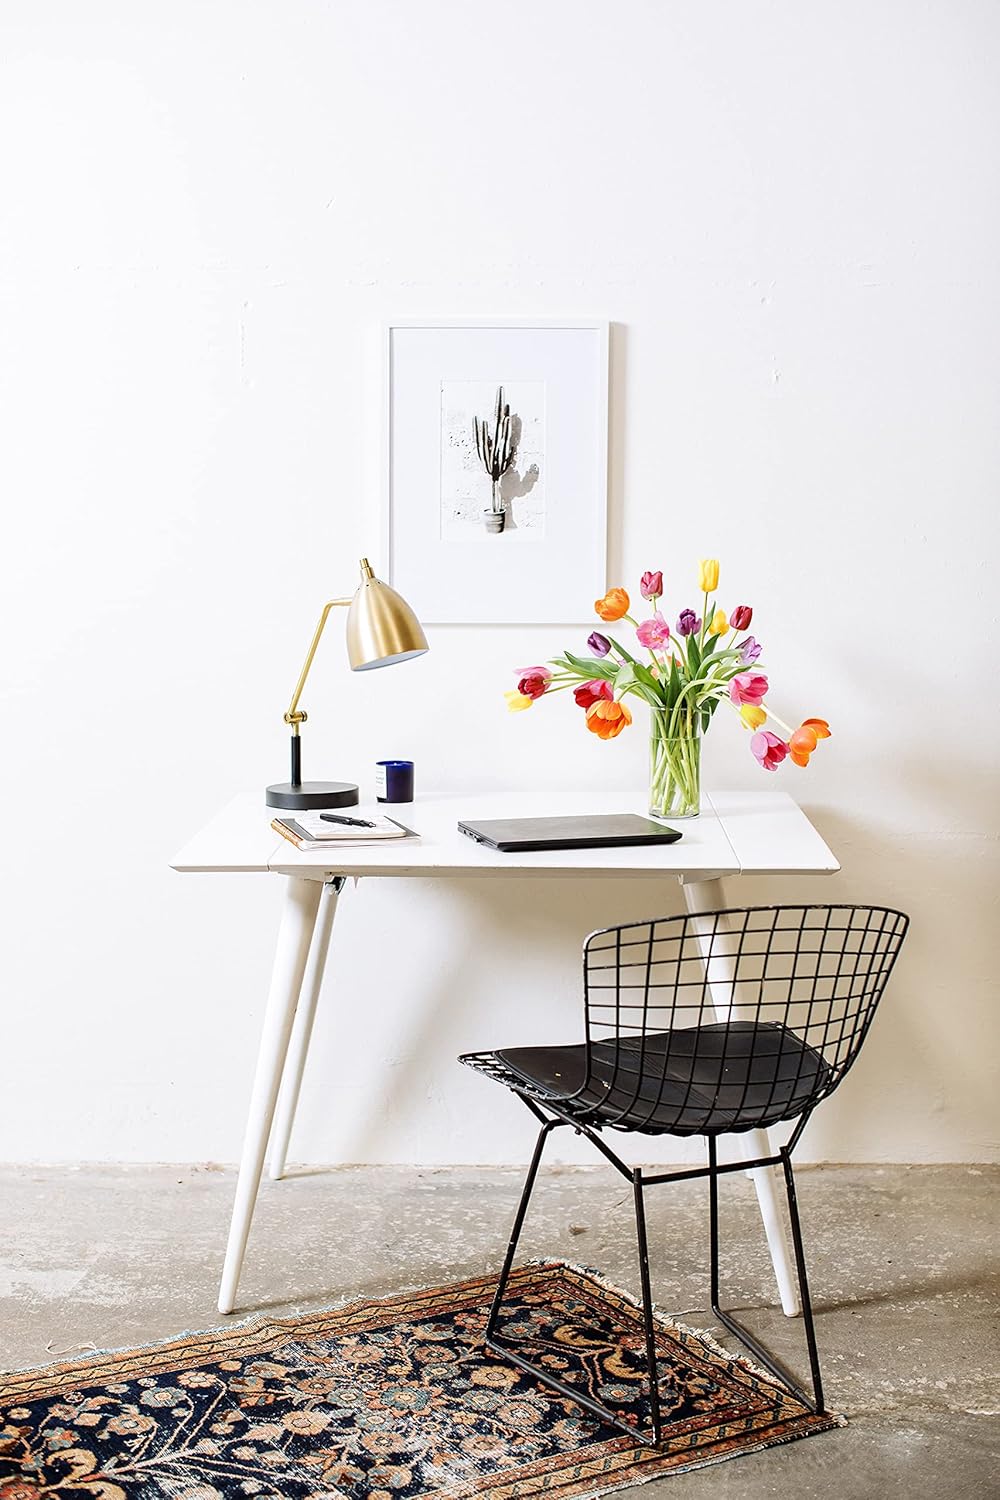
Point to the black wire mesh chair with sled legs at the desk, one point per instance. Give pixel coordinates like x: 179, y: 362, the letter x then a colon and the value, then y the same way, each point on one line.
x: 705, y: 1025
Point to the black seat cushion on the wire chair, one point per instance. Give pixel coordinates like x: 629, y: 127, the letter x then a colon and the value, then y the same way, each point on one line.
x: 725, y: 1076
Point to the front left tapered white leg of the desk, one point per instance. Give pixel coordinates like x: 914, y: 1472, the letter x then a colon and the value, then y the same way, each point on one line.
x: 299, y: 919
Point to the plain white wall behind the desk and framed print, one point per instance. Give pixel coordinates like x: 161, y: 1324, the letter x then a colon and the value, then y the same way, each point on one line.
x: 791, y: 215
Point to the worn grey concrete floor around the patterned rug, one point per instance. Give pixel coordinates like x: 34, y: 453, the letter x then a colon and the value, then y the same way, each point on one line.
x: 902, y: 1265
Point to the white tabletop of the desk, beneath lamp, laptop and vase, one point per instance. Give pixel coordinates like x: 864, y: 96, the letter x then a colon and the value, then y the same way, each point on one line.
x: 738, y: 833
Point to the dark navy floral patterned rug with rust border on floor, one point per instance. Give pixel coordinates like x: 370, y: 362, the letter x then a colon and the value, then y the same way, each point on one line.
x: 386, y: 1402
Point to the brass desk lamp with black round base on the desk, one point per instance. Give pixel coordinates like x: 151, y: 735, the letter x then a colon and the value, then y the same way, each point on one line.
x: 382, y: 631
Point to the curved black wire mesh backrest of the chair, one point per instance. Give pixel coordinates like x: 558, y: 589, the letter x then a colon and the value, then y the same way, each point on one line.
x: 738, y: 1018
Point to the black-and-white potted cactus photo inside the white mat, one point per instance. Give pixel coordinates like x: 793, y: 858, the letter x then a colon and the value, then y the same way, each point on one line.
x: 493, y: 460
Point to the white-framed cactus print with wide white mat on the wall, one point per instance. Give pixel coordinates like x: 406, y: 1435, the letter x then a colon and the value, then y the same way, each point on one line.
x: 442, y: 497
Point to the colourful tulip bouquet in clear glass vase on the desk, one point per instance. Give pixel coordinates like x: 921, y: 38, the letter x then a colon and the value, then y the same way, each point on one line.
x: 687, y: 673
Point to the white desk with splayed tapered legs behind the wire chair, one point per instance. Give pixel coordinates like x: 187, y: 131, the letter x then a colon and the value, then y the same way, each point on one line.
x: 738, y: 833
